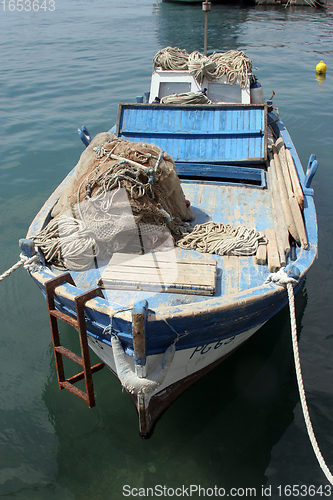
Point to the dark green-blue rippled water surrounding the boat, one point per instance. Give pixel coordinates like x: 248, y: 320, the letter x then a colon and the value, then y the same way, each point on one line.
x: 241, y: 426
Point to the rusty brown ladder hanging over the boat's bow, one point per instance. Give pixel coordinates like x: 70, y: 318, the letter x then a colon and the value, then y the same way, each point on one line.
x: 80, y: 325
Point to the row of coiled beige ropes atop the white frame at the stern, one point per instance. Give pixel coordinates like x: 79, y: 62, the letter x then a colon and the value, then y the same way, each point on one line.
x: 233, y: 64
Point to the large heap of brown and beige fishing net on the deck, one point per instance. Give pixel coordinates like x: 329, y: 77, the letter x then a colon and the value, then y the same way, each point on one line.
x: 122, y: 196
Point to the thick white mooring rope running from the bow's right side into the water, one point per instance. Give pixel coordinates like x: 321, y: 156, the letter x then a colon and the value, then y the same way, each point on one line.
x: 282, y: 278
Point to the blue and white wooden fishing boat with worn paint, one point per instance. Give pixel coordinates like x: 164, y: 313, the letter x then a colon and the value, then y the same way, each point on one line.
x: 161, y: 318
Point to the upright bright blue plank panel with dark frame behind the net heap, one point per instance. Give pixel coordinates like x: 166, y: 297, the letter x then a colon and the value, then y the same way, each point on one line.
x: 193, y: 133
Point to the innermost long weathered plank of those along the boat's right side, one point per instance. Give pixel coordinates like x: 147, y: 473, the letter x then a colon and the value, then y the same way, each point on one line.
x: 281, y: 229
